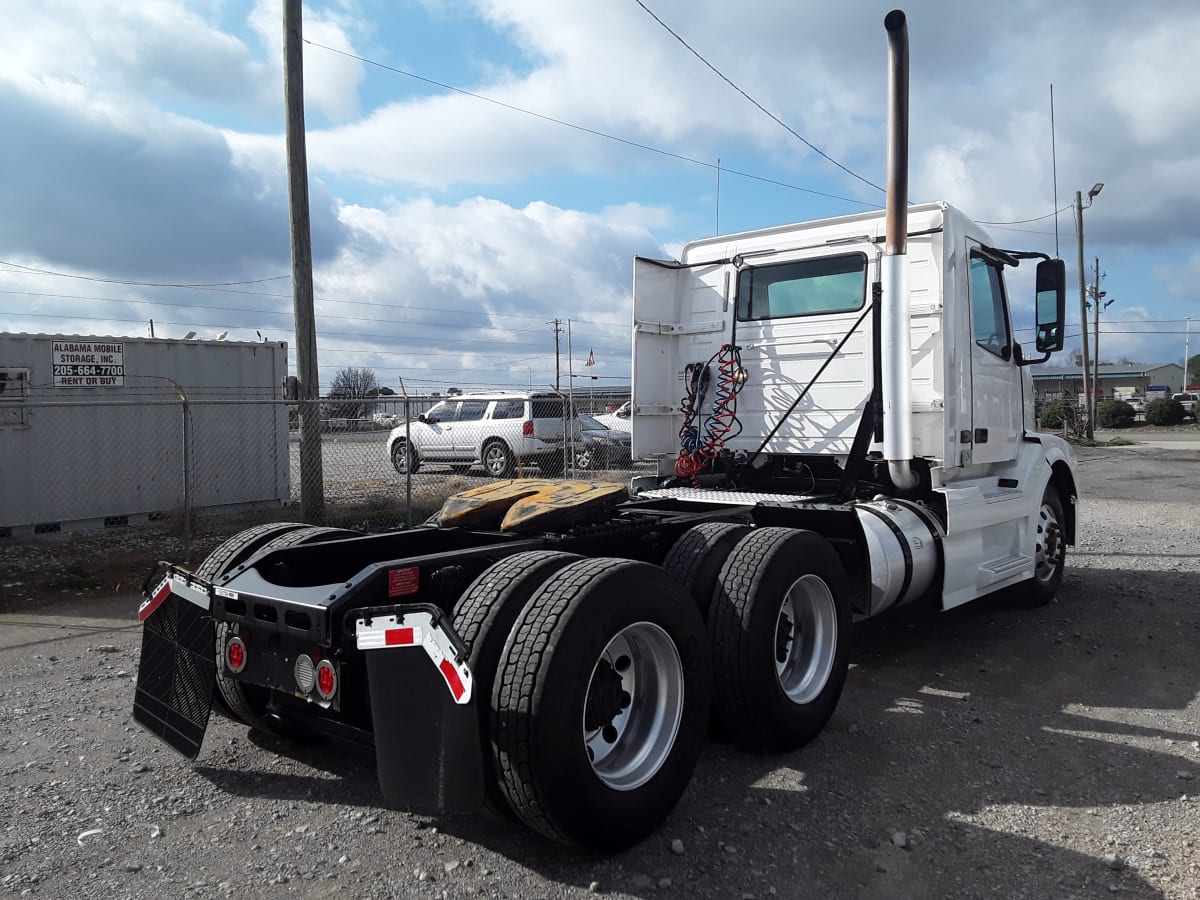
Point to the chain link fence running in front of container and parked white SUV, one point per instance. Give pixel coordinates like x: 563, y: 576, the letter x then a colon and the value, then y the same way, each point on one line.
x: 218, y: 465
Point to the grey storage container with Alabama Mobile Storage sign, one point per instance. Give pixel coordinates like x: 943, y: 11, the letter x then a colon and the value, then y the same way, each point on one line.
x: 107, y: 431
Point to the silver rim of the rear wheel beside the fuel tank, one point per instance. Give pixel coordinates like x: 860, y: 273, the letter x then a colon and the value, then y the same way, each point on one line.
x: 806, y: 639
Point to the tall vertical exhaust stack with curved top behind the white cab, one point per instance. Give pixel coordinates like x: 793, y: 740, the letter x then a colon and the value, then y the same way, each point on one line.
x: 896, y: 327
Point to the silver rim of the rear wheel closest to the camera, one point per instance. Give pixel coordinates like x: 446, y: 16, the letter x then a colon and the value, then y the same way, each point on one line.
x: 641, y: 677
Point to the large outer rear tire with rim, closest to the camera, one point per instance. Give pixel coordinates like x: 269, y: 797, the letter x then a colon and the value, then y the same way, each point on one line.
x: 581, y: 759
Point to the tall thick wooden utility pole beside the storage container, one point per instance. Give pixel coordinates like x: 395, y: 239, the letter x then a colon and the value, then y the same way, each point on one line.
x: 313, y: 483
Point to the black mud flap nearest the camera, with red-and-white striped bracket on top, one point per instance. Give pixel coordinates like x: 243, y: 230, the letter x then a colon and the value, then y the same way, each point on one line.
x: 428, y: 745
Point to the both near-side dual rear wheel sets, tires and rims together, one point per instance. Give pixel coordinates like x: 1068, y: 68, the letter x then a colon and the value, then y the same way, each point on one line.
x: 597, y: 677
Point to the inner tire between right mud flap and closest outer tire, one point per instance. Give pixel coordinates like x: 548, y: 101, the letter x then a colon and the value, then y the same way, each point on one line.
x: 484, y: 616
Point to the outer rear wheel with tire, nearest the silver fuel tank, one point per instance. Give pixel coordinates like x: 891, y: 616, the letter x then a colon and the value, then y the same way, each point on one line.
x: 781, y: 627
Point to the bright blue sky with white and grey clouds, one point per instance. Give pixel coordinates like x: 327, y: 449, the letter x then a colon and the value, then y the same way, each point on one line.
x: 143, y: 152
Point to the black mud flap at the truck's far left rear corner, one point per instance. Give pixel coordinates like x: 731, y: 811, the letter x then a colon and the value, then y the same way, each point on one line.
x: 177, y: 675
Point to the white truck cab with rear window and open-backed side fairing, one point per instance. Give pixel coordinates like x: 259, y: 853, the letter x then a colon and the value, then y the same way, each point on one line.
x: 803, y: 307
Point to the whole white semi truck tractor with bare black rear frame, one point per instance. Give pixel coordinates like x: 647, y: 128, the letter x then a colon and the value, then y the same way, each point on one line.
x: 841, y: 417
